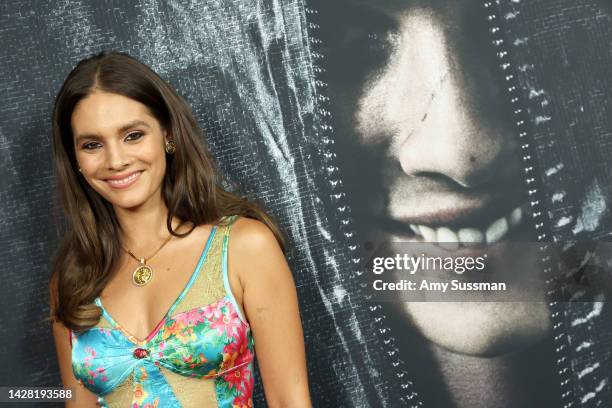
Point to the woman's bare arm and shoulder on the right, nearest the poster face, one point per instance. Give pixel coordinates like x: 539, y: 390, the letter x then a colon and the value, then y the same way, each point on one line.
x: 270, y: 303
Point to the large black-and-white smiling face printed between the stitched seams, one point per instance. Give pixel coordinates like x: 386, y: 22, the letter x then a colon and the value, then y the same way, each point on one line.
x: 428, y: 153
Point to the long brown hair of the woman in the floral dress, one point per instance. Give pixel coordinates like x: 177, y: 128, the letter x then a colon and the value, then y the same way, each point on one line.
x: 91, y: 246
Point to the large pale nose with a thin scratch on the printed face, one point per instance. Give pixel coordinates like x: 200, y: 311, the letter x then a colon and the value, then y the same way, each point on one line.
x: 447, y: 107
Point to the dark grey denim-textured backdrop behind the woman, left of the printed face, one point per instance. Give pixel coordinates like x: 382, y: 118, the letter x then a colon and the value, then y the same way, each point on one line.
x: 245, y: 68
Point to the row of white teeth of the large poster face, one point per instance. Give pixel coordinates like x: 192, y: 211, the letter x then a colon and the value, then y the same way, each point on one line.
x: 451, y: 239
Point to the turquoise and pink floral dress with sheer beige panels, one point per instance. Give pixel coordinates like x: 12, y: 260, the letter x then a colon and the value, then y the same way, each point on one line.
x: 198, y: 356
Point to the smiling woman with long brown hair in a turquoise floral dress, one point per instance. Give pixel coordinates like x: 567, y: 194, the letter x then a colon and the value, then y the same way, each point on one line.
x: 154, y: 304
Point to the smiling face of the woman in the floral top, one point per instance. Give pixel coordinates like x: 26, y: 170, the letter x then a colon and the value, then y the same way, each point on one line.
x: 119, y: 146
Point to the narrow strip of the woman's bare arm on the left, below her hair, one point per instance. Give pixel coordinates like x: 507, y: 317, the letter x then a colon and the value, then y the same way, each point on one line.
x: 81, y: 397
